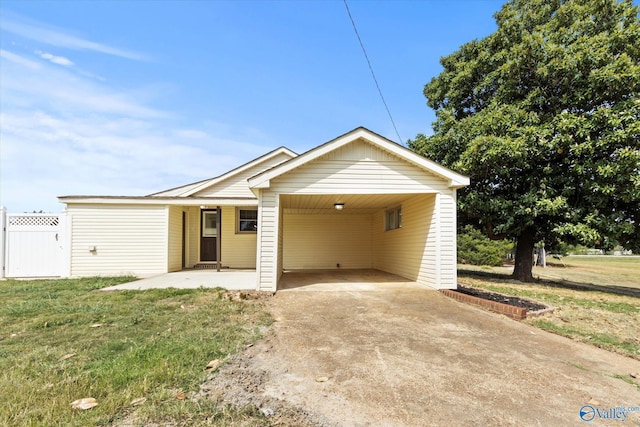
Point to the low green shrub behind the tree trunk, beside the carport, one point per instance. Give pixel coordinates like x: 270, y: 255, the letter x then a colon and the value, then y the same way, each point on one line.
x: 477, y: 249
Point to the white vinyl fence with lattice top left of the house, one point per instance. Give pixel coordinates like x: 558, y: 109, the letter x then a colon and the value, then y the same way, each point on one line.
x: 33, y: 245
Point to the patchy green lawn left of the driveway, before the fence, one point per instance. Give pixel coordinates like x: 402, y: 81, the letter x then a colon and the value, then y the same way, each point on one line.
x: 152, y: 344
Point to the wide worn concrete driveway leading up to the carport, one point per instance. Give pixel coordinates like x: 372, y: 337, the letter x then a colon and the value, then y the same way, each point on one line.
x: 393, y: 353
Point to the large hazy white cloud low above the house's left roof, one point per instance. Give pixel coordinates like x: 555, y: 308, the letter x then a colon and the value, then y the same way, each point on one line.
x: 66, y: 134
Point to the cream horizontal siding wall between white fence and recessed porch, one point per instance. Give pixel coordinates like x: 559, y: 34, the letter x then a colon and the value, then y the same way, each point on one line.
x: 128, y: 239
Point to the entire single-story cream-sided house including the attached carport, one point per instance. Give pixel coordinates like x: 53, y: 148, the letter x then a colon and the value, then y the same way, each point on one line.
x: 357, y: 201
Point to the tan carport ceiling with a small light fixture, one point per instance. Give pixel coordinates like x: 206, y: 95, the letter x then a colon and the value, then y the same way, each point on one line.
x: 353, y: 203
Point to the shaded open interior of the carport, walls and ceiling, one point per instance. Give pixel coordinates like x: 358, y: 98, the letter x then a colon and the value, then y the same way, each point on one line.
x: 387, y: 232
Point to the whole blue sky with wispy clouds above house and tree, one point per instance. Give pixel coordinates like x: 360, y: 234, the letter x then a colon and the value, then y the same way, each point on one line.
x: 134, y: 97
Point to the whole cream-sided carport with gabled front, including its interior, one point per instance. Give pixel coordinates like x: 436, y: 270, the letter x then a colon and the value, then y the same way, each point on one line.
x: 360, y: 201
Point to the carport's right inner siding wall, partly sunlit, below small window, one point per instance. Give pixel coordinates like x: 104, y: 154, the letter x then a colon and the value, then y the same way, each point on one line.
x: 408, y: 251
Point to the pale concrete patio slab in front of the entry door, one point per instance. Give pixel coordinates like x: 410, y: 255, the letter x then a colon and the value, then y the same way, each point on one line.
x: 192, y: 279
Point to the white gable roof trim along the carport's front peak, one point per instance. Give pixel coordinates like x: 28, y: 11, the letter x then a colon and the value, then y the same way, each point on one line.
x: 455, y: 180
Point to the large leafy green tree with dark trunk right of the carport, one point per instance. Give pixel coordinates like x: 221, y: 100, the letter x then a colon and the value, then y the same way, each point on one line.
x: 544, y: 116
